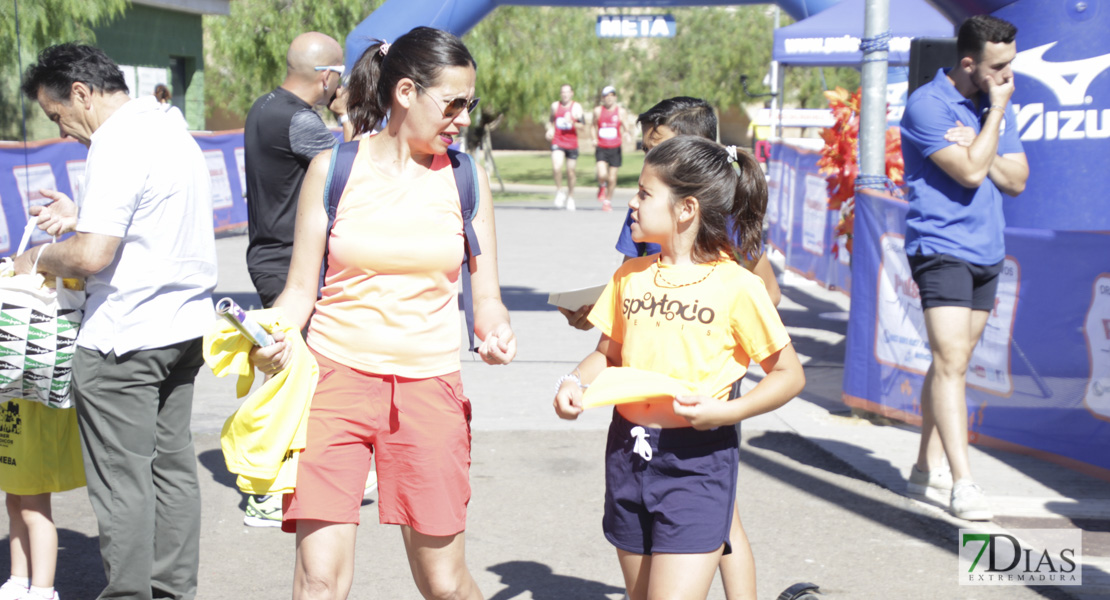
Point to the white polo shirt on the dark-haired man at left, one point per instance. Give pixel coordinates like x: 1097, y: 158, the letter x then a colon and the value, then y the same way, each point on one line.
x: 148, y: 185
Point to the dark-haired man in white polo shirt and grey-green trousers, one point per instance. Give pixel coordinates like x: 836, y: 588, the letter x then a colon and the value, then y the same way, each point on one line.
x: 145, y: 245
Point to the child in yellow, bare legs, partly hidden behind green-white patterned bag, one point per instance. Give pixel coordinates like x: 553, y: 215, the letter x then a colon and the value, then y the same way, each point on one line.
x: 44, y: 456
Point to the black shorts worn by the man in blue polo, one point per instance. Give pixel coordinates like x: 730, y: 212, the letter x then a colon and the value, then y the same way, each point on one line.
x: 944, y: 280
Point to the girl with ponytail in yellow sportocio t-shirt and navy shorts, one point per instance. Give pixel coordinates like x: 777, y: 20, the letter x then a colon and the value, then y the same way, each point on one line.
x: 693, y: 313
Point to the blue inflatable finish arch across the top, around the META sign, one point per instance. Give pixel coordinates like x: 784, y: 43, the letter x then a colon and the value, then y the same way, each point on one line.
x: 397, y: 17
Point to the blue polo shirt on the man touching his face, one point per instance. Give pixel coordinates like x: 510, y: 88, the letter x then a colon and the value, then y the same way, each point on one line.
x: 944, y: 217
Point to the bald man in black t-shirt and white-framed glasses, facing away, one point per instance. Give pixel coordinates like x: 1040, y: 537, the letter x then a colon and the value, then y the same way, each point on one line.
x: 284, y: 134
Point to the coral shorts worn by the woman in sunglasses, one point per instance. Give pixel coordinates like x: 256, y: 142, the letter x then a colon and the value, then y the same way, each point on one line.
x: 420, y: 431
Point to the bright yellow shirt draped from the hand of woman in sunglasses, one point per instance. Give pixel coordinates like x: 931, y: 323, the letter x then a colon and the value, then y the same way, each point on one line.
x: 263, y: 440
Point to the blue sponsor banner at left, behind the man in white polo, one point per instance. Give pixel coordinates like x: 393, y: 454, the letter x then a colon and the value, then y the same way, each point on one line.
x: 59, y: 165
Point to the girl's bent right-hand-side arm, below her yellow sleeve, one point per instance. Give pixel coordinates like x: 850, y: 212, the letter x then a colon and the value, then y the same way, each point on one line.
x: 785, y: 380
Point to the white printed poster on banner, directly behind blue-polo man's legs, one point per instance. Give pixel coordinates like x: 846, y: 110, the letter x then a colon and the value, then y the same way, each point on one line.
x: 901, y: 339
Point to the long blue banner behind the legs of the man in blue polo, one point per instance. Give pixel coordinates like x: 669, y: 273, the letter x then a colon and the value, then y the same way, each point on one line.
x: 1040, y: 380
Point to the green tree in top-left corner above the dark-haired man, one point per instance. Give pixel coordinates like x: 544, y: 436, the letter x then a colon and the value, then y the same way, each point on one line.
x: 42, y: 24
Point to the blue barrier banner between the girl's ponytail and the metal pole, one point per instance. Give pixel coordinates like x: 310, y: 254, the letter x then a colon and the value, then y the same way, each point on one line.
x: 801, y: 226
